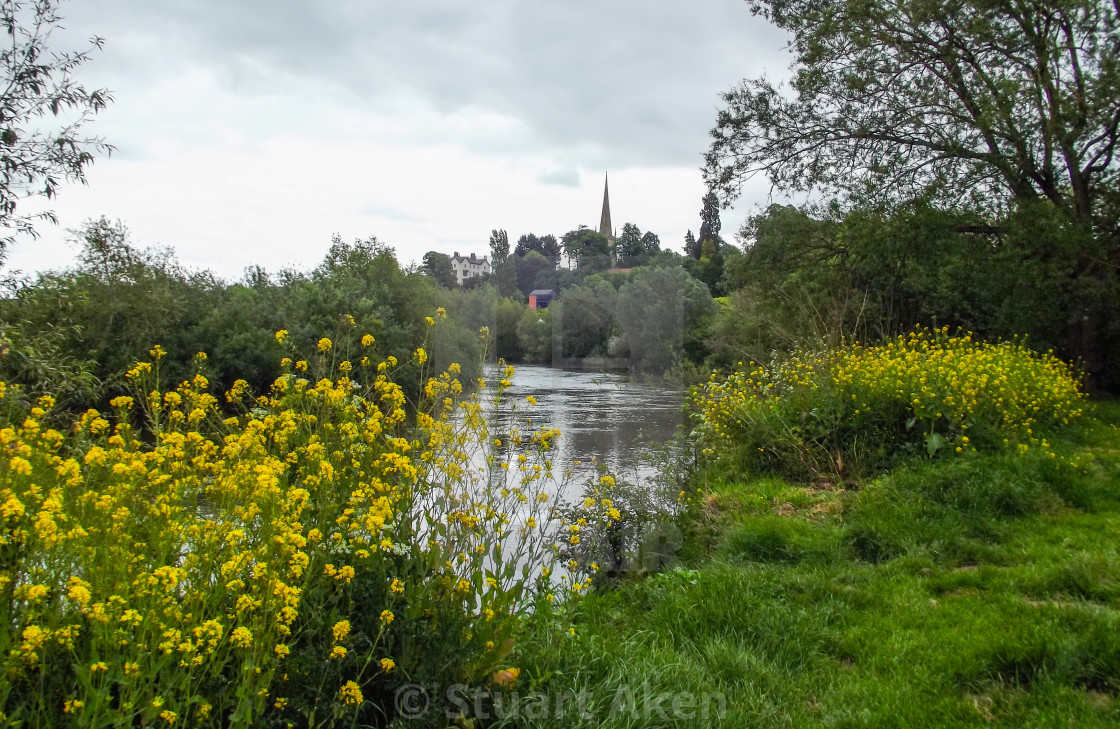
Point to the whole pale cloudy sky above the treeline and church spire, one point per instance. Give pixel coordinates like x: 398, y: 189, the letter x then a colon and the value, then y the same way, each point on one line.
x: 249, y: 132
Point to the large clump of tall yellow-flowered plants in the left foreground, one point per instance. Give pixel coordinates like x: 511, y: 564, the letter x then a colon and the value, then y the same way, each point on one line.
x: 283, y: 565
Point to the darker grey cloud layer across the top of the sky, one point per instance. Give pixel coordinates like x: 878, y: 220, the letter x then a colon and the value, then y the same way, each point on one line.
x: 621, y: 83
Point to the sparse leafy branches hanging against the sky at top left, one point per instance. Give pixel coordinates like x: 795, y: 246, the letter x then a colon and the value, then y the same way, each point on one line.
x: 35, y: 158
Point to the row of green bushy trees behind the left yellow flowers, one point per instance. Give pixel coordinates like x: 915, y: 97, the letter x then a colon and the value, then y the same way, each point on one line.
x: 89, y: 325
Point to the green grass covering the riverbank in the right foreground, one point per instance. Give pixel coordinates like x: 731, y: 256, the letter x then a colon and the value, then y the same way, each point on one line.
x: 977, y: 592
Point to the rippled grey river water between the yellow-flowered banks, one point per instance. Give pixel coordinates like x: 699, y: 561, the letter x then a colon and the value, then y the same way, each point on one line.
x: 606, y: 417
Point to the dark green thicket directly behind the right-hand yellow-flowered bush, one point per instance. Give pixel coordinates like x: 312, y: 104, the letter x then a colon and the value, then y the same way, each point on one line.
x: 865, y: 274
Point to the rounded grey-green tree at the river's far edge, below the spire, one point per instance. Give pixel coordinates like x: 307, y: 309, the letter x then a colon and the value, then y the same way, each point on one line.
x: 666, y: 315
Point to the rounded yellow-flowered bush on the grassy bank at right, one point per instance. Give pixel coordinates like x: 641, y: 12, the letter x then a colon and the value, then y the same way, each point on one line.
x: 856, y: 410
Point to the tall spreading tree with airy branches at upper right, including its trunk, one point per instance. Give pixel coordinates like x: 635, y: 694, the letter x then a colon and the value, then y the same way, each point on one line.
x: 995, y: 106
